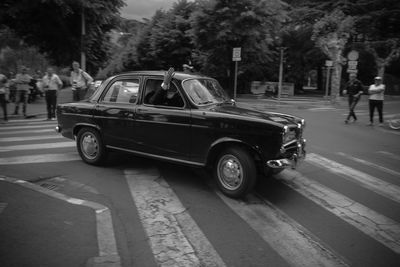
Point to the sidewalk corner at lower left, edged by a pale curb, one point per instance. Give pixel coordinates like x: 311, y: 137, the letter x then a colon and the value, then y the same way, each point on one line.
x: 39, y: 229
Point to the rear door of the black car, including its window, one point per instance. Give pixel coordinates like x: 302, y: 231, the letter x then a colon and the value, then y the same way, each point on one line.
x: 115, y: 113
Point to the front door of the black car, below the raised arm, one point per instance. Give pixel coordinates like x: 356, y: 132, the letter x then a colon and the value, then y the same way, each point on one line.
x: 163, y: 127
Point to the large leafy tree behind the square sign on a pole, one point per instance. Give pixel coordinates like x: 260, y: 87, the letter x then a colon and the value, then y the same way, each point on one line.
x: 220, y: 25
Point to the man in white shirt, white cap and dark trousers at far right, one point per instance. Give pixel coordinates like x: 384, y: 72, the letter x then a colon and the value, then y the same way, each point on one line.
x: 376, y: 95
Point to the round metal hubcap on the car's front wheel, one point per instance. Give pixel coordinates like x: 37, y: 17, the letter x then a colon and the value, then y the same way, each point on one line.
x: 230, y: 172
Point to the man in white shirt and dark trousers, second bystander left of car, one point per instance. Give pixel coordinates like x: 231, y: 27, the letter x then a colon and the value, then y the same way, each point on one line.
x: 51, y: 84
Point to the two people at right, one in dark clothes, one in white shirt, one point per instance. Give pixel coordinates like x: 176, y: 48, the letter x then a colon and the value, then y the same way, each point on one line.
x: 354, y: 89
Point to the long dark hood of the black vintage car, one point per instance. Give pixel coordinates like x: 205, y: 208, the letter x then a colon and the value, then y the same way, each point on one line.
x: 274, y: 117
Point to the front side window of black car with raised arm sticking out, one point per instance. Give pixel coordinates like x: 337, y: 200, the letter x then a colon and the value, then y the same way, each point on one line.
x: 155, y: 95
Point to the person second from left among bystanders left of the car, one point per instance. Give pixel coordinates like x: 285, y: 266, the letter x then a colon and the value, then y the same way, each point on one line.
x: 22, y: 81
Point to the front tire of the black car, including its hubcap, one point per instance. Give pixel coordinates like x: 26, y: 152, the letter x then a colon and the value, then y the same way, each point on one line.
x: 235, y: 172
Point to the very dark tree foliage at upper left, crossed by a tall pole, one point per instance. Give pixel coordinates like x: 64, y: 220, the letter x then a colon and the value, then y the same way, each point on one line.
x: 54, y: 26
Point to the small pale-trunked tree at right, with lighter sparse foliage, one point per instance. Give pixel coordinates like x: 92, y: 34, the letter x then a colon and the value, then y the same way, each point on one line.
x: 331, y: 34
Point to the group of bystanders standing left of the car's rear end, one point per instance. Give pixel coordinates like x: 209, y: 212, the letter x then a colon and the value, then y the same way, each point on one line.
x: 50, y: 84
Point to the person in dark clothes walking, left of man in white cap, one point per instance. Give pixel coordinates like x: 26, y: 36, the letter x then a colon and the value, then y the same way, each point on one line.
x: 354, y: 89
